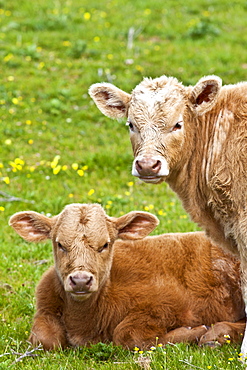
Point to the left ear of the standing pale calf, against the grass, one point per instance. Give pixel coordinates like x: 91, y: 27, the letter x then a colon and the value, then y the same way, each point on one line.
x: 110, y: 100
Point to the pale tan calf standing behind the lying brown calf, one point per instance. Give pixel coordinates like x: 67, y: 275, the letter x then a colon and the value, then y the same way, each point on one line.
x: 194, y: 138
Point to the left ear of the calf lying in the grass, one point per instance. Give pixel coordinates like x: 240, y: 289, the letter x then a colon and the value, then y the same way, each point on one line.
x: 31, y: 226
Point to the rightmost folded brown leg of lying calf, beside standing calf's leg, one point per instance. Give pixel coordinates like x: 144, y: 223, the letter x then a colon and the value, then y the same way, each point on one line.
x: 221, y: 332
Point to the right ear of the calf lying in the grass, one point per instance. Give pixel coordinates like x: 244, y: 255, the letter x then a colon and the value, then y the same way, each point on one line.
x: 136, y: 225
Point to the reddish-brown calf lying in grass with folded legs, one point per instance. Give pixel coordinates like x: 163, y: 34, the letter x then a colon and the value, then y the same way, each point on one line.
x: 129, y: 291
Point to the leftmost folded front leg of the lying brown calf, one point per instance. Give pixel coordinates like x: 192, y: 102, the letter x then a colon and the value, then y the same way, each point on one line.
x: 48, y: 331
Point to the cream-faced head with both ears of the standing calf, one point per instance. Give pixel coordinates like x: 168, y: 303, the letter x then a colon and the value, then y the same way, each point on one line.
x: 156, y: 113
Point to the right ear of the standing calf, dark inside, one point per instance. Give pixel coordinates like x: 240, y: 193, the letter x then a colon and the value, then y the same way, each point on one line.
x: 205, y: 93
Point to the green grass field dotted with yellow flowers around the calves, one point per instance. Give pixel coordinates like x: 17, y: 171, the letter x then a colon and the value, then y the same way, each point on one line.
x: 56, y: 148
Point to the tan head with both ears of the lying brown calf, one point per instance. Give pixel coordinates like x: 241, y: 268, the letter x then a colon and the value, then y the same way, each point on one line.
x: 83, y: 237
